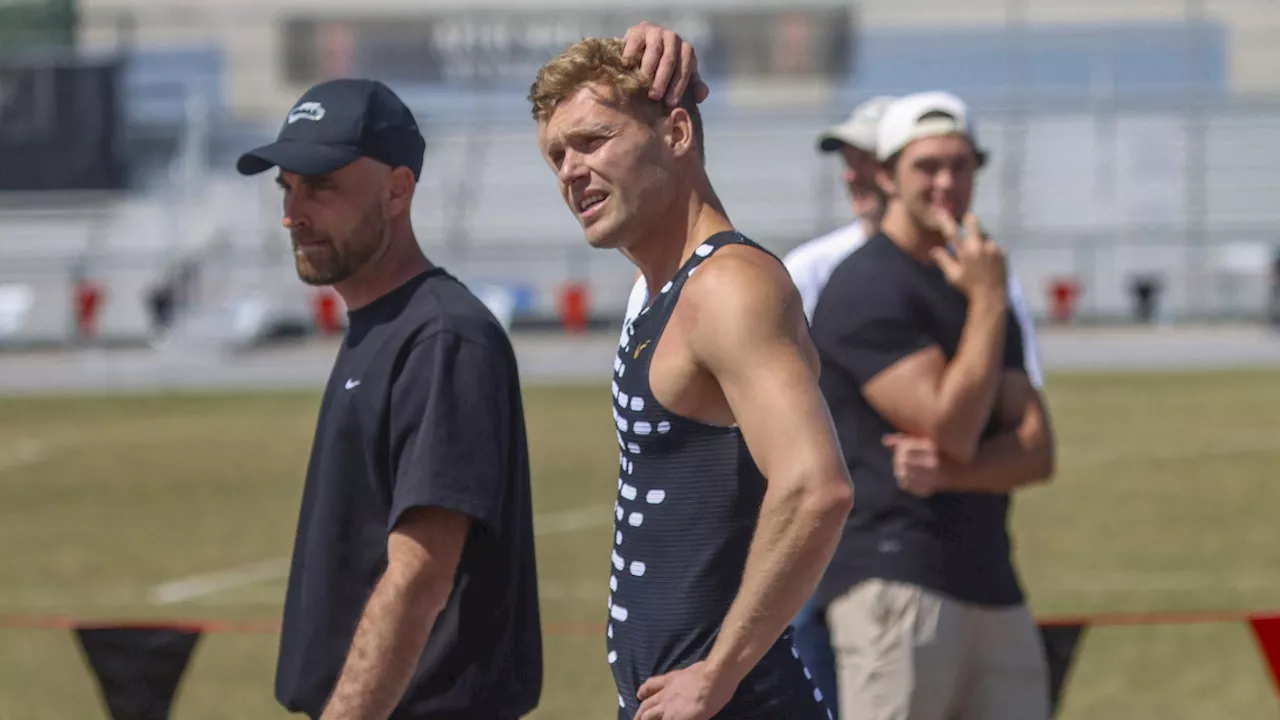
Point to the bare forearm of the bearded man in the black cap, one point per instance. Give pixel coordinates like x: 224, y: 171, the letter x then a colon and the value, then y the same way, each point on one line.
x: 423, y: 554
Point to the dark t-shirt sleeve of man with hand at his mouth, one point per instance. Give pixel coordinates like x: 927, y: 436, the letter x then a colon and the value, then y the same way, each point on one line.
x: 863, y: 334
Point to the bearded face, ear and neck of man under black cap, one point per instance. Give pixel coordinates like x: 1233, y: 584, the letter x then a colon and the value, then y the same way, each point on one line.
x: 350, y: 229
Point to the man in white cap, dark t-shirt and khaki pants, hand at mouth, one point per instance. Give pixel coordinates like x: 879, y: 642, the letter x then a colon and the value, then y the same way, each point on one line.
x: 926, y: 376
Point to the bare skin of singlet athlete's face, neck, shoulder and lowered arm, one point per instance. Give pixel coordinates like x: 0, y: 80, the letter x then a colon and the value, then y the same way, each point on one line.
x: 734, y: 353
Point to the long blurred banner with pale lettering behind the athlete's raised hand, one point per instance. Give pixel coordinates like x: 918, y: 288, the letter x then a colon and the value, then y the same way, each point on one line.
x: 505, y: 49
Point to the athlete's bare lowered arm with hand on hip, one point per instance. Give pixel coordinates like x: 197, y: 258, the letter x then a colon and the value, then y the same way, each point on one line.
x: 742, y: 322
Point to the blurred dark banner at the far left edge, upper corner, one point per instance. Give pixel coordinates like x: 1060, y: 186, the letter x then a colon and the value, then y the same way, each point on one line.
x: 60, y: 125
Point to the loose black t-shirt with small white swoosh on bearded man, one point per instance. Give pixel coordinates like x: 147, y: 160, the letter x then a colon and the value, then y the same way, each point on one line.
x: 423, y: 409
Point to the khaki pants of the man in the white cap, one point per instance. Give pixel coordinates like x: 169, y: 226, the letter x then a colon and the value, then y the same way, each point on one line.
x: 908, y: 654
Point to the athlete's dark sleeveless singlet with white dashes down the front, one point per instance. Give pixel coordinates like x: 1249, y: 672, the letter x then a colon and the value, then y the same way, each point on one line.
x: 689, y: 499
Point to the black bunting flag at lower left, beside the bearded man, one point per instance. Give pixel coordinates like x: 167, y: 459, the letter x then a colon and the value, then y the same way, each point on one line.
x: 138, y: 669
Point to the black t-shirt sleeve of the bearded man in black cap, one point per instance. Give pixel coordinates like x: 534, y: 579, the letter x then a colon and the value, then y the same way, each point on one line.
x: 451, y: 427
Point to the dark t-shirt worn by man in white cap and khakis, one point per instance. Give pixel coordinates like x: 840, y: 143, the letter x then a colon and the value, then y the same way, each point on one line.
x: 880, y: 307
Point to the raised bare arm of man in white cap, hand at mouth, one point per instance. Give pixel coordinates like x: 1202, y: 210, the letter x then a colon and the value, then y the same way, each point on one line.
x: 950, y: 403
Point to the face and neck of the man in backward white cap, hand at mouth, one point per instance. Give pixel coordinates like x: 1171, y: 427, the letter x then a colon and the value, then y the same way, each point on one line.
x: 934, y: 176
